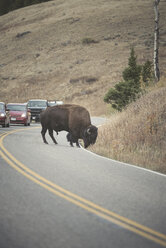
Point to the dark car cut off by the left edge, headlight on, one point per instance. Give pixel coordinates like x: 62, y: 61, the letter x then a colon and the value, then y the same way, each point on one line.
x: 4, y: 115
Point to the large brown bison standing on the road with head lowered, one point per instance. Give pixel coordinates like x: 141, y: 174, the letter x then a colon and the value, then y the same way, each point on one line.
x: 72, y: 118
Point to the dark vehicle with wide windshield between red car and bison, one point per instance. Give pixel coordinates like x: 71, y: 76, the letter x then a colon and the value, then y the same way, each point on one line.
x: 36, y: 106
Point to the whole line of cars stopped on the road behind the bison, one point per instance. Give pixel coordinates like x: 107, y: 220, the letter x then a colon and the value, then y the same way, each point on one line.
x: 23, y: 113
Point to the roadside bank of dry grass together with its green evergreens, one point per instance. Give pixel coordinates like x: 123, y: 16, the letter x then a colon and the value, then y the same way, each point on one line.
x: 136, y: 130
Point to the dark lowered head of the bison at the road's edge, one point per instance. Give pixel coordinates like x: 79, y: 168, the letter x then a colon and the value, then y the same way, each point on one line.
x: 90, y: 135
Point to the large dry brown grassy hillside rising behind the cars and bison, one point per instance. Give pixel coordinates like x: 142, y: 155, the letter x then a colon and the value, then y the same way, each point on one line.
x: 45, y: 51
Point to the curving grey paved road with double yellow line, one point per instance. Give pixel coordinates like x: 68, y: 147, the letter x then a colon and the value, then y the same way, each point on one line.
x: 57, y: 196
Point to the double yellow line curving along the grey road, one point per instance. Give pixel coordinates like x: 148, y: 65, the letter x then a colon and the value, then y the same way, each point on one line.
x: 89, y: 206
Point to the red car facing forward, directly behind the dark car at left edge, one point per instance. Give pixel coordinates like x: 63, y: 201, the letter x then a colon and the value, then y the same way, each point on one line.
x: 19, y: 113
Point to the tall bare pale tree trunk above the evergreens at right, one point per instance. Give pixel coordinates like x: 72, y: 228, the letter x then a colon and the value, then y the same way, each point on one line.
x: 156, y: 41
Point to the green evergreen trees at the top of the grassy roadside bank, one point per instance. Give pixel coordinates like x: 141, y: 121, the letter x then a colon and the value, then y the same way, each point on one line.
x: 136, y: 78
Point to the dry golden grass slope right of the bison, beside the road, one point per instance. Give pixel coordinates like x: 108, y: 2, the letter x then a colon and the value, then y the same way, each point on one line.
x: 138, y: 135
